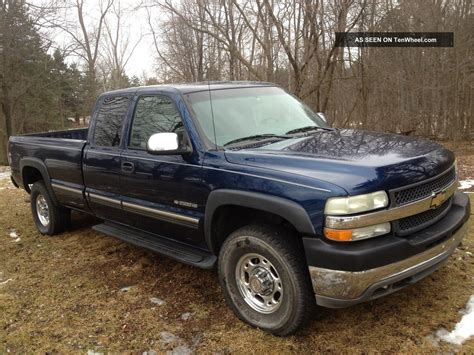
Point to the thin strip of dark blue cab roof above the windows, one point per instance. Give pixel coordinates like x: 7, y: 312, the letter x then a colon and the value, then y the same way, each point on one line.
x: 191, y: 87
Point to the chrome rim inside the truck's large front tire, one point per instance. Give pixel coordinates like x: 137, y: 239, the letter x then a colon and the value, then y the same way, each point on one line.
x: 259, y: 283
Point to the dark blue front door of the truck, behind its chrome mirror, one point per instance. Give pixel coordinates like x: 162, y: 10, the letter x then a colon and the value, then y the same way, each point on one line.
x: 161, y: 193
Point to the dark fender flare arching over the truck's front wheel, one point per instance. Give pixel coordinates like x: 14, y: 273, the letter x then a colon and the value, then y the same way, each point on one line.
x: 287, y: 209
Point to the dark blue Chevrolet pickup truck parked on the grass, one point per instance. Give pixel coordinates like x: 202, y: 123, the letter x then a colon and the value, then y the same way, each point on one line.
x: 243, y: 177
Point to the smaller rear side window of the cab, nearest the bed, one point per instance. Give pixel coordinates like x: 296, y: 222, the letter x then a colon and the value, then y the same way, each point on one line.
x: 109, y: 121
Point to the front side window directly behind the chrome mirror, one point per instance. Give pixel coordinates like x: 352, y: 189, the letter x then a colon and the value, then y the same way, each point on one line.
x: 154, y: 114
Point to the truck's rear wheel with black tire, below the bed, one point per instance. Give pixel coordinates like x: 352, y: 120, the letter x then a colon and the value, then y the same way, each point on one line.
x: 59, y: 217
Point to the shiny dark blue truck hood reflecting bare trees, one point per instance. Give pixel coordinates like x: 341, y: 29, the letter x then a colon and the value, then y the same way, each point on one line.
x: 358, y: 161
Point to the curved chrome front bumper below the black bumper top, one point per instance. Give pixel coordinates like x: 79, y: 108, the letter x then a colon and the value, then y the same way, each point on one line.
x: 336, y: 288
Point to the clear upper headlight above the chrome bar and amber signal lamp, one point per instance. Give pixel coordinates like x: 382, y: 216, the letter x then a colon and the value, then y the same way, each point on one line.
x: 337, y: 206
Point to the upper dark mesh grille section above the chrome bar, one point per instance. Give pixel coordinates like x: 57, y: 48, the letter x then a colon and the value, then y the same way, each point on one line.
x: 424, y: 189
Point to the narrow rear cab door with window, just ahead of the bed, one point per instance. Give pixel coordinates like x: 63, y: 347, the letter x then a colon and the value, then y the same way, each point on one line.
x: 102, y: 158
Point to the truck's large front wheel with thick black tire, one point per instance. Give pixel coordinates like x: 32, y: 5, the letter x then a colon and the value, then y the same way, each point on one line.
x: 282, y: 250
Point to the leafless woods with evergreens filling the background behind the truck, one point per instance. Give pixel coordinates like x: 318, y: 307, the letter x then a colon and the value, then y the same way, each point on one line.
x: 423, y: 91
